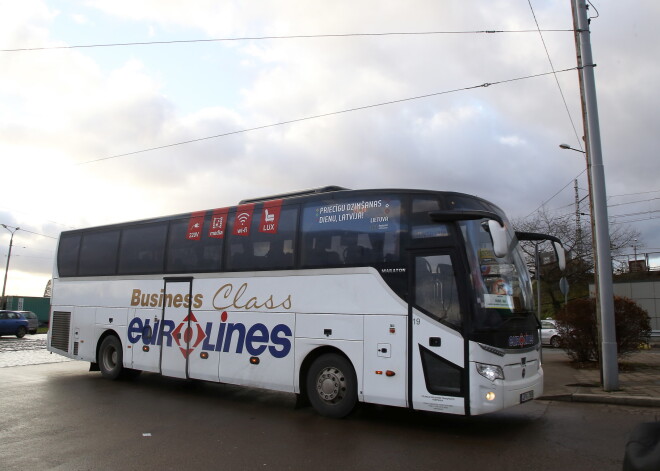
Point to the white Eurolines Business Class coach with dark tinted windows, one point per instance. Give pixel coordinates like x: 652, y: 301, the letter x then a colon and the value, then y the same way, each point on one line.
x: 409, y: 298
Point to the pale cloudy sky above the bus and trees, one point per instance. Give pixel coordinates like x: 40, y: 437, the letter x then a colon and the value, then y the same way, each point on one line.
x: 69, y: 115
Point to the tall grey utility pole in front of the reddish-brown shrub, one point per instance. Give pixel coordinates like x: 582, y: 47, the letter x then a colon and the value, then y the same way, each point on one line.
x: 602, y: 255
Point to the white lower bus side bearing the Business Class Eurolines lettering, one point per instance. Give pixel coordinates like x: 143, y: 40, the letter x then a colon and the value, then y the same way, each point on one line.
x: 307, y: 302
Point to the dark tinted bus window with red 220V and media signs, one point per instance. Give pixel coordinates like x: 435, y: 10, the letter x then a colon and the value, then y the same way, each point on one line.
x: 189, y: 251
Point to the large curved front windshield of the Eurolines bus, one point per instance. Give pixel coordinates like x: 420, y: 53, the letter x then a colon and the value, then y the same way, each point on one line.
x: 502, y: 285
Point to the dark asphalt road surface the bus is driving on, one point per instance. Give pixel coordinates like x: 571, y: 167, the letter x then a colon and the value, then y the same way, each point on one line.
x: 60, y: 416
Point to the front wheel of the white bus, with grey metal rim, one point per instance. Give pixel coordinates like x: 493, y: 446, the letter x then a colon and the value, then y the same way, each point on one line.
x: 332, y: 386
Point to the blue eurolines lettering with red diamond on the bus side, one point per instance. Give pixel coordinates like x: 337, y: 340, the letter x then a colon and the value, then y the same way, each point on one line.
x: 212, y: 337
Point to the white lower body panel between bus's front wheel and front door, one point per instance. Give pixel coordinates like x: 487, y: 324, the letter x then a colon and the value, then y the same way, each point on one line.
x: 385, y: 352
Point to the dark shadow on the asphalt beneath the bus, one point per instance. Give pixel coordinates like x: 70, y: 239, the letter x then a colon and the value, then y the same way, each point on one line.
x: 219, y: 397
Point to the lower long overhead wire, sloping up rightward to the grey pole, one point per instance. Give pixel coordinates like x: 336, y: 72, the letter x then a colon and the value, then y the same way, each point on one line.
x: 324, y: 115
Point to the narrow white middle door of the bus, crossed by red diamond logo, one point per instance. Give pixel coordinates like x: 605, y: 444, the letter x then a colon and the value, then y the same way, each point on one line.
x: 177, y: 329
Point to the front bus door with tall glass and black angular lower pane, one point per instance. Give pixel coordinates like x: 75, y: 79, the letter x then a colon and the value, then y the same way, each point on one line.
x: 437, y: 380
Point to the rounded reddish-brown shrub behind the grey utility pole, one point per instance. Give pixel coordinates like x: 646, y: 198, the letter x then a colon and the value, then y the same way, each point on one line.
x: 576, y: 324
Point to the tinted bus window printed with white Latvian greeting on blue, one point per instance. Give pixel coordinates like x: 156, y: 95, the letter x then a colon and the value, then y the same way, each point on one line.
x: 351, y: 232
